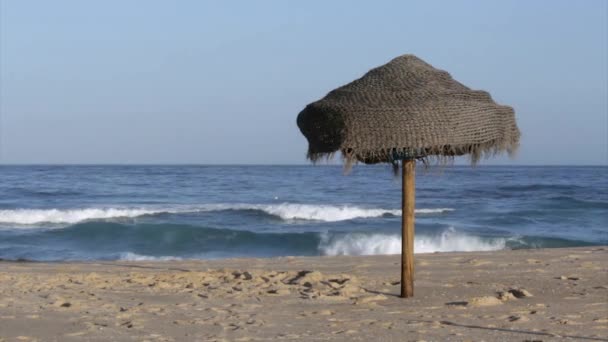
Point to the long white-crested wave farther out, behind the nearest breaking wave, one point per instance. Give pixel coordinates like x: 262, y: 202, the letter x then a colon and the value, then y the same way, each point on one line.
x: 285, y: 211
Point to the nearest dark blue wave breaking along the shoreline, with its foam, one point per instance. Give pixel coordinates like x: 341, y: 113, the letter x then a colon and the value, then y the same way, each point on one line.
x: 167, y: 242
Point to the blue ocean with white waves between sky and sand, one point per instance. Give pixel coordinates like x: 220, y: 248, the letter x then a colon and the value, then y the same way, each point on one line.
x: 54, y: 213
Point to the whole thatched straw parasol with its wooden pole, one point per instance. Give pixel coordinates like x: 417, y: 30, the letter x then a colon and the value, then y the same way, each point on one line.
x: 402, y: 112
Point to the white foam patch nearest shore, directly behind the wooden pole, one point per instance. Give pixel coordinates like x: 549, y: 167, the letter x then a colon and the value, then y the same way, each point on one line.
x: 448, y: 241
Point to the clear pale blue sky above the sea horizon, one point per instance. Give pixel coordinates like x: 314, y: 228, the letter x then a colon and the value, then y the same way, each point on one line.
x: 117, y: 81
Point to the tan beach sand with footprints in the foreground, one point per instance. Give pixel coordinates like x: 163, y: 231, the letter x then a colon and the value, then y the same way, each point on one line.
x: 525, y: 295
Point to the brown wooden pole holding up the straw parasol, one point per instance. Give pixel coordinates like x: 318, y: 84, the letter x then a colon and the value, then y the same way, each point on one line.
x: 407, y: 228
